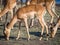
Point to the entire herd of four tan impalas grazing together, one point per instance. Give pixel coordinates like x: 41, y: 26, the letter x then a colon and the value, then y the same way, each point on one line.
x: 33, y: 8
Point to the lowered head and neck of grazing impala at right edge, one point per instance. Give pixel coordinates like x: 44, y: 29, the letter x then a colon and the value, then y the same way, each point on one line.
x: 54, y: 28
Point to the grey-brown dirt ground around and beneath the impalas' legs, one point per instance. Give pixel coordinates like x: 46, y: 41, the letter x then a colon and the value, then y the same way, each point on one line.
x: 34, y: 32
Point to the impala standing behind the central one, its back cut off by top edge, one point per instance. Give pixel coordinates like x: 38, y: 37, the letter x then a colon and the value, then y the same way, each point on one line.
x: 48, y: 4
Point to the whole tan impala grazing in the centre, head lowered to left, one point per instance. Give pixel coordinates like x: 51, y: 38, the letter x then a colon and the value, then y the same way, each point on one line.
x: 23, y: 14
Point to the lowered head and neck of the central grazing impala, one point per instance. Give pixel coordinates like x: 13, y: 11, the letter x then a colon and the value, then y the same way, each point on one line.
x: 9, y: 26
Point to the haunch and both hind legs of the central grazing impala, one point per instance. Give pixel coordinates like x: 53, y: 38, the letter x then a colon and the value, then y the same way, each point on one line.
x: 43, y: 23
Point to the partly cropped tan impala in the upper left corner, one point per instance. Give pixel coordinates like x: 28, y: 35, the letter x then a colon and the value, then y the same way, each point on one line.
x: 9, y: 7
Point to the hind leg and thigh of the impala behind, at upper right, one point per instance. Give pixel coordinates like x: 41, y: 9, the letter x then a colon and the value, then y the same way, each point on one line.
x: 50, y: 10
